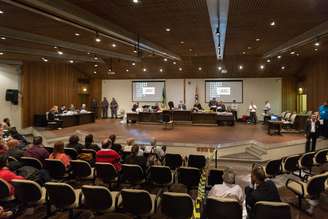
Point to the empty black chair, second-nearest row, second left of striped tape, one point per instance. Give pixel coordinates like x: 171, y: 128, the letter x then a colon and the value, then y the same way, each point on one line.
x: 160, y: 175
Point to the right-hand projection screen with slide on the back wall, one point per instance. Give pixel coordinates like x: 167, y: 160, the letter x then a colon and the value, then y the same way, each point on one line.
x: 224, y: 90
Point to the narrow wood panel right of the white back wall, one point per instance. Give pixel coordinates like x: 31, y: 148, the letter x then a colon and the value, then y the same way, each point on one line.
x: 289, y: 94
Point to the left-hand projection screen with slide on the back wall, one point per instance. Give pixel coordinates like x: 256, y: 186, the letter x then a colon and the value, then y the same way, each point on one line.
x: 147, y: 91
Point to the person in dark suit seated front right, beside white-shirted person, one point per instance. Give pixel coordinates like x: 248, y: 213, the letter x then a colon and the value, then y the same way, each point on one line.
x: 260, y: 190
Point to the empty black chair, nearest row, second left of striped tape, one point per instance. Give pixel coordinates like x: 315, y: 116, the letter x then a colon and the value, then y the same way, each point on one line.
x: 139, y: 203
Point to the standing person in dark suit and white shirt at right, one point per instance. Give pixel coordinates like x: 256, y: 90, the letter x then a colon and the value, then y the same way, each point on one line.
x: 312, y: 126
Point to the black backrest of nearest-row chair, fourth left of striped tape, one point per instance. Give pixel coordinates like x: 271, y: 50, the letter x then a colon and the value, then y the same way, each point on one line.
x: 61, y: 195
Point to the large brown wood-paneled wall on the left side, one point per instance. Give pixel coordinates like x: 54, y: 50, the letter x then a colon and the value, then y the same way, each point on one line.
x: 45, y: 85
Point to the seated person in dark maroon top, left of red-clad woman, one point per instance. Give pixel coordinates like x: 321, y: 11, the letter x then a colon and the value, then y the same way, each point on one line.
x: 37, y: 150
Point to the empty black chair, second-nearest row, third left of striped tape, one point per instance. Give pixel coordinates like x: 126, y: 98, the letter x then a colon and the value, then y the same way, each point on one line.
x: 132, y: 174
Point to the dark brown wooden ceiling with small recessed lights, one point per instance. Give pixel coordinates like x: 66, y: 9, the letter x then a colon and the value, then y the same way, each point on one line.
x: 190, y: 37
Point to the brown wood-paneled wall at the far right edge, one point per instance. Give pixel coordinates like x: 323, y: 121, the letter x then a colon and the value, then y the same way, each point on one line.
x: 315, y: 81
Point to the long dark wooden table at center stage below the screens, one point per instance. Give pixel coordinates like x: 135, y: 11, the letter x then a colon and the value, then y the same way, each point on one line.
x: 195, y: 118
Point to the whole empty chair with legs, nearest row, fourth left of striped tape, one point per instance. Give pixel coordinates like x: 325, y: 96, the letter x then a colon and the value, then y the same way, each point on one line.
x: 62, y: 196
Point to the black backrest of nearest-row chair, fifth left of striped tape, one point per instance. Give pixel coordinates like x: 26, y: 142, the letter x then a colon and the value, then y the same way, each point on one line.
x: 27, y: 191
